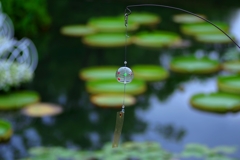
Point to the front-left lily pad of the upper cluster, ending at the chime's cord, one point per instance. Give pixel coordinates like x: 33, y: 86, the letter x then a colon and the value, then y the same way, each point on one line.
x: 106, y: 40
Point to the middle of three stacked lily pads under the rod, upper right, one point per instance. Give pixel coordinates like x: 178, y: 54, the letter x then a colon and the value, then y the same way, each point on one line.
x: 203, y: 28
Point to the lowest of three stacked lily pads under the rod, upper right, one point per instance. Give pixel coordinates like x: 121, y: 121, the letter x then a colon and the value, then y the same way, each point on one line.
x: 213, y: 38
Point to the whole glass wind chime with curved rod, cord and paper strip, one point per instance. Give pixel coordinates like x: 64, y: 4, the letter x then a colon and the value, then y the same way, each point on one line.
x: 125, y: 75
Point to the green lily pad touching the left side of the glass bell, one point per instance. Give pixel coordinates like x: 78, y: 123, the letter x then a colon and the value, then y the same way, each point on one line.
x: 98, y: 72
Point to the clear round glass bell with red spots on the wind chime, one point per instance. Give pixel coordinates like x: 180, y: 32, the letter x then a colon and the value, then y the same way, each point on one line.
x: 124, y: 75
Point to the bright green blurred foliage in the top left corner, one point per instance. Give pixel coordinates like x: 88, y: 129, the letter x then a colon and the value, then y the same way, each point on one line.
x: 29, y: 17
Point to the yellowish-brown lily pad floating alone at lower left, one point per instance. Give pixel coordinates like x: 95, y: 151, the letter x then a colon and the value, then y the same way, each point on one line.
x: 42, y: 109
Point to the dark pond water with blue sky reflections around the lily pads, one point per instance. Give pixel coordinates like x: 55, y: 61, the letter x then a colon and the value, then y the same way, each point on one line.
x: 162, y: 114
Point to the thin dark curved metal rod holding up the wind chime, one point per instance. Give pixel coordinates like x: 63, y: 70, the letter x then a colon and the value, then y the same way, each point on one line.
x: 128, y: 12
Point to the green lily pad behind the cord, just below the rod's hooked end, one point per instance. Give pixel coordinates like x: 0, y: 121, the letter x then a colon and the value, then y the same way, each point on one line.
x: 111, y: 24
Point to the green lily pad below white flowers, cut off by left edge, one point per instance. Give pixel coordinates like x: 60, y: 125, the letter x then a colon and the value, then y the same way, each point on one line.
x: 17, y: 100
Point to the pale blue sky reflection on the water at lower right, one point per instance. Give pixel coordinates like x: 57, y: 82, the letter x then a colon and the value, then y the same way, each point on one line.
x: 200, y: 127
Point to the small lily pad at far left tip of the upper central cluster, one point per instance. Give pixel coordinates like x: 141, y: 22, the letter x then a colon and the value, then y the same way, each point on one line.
x: 77, y: 30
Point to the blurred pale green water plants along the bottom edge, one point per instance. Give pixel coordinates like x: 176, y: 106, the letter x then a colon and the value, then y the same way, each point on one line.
x: 134, y: 151
